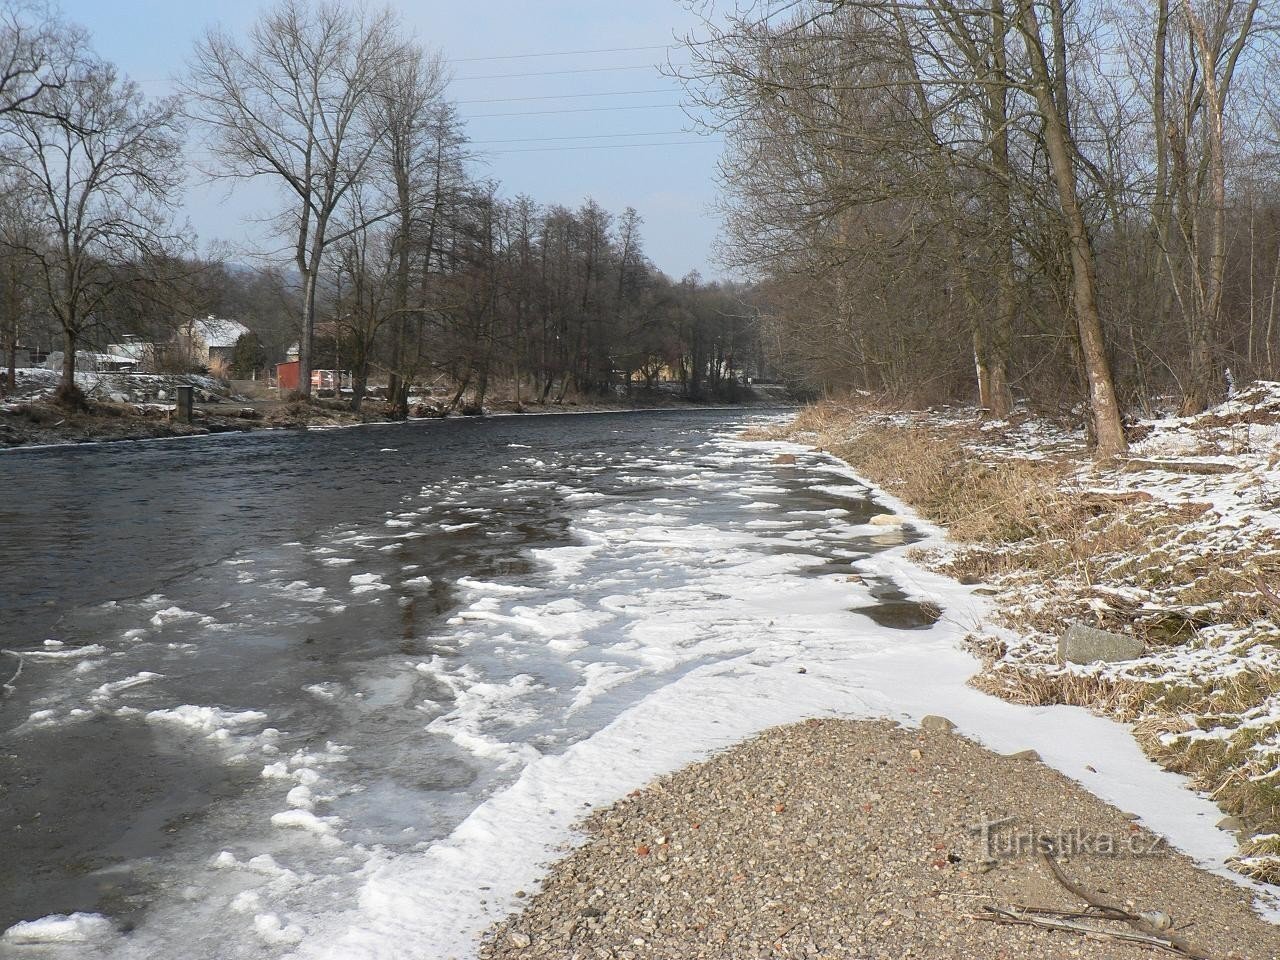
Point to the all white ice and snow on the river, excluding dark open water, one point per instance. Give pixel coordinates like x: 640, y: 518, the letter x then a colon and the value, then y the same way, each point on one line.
x: 693, y: 597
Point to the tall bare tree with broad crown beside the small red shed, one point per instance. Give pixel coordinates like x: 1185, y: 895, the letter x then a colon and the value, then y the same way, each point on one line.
x: 290, y: 104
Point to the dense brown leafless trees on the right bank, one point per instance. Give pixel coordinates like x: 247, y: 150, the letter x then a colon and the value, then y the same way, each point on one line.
x: 1068, y: 202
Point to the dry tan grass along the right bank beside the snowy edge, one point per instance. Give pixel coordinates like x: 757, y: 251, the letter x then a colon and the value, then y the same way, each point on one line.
x: 1059, y: 554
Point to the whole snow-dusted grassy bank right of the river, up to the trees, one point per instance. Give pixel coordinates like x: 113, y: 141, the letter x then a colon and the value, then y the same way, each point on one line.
x: 1176, y: 546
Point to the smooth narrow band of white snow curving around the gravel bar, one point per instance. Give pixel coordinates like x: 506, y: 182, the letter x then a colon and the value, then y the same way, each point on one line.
x: 441, y: 903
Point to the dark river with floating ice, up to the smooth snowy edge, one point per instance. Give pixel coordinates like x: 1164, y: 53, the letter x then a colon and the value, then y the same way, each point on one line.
x: 257, y: 670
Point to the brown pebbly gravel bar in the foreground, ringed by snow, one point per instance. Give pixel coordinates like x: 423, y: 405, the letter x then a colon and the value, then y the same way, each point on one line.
x: 838, y: 839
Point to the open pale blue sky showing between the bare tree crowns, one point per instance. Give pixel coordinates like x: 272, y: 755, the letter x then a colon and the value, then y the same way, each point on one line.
x: 671, y: 185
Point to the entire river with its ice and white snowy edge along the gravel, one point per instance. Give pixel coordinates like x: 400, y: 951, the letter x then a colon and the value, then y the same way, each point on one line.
x: 491, y: 628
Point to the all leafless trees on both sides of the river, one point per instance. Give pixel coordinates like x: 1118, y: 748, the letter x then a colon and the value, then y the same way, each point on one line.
x: 1069, y: 203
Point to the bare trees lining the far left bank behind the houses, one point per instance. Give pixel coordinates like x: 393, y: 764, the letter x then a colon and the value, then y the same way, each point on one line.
x: 405, y: 267
